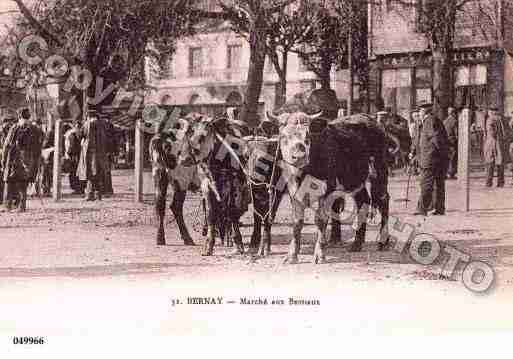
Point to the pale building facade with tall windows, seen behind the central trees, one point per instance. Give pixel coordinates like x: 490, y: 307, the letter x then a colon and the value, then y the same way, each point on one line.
x: 210, y: 70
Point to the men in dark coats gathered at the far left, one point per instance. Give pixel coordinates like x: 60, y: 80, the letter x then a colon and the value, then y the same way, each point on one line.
x: 27, y: 157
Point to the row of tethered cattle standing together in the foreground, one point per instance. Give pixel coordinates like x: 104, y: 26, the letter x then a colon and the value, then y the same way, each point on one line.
x: 233, y: 167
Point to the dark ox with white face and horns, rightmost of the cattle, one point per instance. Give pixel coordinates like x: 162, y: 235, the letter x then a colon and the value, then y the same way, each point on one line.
x: 338, y: 153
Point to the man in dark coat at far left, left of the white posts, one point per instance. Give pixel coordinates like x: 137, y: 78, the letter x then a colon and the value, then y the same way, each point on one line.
x: 20, y: 160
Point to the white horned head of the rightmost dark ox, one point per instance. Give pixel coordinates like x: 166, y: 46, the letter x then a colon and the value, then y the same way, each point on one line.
x: 295, y: 137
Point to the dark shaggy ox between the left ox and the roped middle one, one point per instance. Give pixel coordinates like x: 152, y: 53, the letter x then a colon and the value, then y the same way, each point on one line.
x: 223, y: 181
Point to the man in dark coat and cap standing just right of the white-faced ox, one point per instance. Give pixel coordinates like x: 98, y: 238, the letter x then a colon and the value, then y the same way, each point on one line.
x: 433, y: 161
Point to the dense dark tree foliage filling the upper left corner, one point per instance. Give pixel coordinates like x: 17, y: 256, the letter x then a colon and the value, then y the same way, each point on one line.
x: 112, y: 38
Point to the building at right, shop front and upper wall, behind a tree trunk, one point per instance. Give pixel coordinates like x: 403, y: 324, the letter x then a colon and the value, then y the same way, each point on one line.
x: 400, y: 62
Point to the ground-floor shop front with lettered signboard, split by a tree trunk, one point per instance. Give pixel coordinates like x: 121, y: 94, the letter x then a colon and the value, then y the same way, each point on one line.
x: 405, y: 80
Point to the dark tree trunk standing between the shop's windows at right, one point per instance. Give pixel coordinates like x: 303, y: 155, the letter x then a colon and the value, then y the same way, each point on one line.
x: 441, y: 82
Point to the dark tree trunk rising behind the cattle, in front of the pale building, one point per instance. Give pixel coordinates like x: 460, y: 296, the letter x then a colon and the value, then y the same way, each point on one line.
x: 255, y: 77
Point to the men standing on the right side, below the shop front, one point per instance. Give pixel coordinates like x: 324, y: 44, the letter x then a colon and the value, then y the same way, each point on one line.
x: 435, y: 147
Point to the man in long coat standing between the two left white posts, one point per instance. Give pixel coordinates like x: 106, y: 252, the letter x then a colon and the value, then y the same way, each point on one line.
x: 91, y: 167
